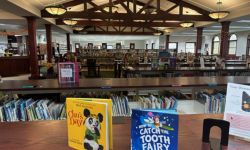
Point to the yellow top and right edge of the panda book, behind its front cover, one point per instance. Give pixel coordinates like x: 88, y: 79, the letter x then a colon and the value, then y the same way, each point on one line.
x: 110, y: 123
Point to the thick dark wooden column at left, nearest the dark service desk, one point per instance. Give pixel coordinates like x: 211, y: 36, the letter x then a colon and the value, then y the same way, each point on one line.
x: 32, y: 47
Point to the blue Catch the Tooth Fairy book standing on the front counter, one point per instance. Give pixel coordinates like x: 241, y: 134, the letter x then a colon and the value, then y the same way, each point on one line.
x: 154, y: 130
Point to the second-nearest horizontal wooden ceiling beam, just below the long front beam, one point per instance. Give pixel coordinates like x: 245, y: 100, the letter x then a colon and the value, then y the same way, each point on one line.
x: 125, y: 23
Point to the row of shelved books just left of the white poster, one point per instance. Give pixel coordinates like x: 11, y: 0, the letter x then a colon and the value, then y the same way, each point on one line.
x: 214, y: 103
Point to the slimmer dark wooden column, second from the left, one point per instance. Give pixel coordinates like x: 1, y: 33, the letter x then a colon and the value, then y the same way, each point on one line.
x: 49, y: 42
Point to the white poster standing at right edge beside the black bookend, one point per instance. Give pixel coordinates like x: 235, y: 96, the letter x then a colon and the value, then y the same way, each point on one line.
x: 237, y: 110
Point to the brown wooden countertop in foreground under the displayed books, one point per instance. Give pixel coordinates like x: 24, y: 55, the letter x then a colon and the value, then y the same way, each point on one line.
x: 52, y: 135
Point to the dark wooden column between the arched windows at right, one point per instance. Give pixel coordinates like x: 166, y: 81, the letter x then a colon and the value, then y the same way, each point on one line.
x: 224, y: 45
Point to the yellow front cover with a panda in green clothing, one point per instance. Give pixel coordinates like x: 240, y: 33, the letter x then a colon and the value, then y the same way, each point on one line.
x: 87, y: 123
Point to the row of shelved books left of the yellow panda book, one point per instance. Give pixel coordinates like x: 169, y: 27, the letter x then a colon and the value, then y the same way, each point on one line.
x: 31, y: 110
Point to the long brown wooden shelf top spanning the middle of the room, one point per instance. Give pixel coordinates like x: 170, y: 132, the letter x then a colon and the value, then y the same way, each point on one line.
x: 120, y: 83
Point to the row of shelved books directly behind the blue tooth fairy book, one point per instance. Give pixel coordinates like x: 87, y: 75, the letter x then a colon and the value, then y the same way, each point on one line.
x: 153, y: 102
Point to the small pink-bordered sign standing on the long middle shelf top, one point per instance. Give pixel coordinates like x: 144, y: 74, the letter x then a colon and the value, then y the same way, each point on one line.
x: 68, y: 72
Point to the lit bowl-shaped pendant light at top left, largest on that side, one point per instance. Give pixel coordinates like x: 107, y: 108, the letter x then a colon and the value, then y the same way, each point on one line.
x: 56, y: 9
